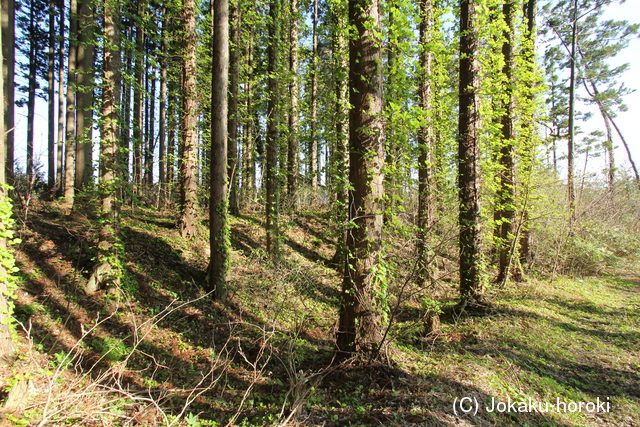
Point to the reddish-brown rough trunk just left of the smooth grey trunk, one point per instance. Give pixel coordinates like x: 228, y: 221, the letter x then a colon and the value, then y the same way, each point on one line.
x: 188, y: 131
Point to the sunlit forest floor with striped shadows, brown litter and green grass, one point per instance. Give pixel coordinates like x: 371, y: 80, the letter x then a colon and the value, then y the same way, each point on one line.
x: 158, y: 350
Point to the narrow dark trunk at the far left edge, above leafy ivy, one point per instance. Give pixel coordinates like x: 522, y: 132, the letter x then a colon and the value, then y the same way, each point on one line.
x: 8, y: 70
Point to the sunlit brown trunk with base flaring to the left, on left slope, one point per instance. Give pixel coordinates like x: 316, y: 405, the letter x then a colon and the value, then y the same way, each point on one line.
x: 105, y: 269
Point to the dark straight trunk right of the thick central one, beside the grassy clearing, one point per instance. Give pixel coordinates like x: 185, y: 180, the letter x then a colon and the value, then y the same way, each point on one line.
x: 468, y: 156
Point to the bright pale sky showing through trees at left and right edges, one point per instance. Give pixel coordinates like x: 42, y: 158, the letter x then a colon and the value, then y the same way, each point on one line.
x: 627, y: 121
